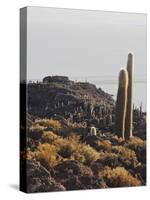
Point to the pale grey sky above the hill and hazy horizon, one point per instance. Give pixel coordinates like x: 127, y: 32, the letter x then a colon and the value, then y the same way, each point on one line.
x: 83, y: 43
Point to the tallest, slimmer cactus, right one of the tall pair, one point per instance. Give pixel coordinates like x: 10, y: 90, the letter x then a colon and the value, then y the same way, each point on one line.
x: 129, y: 111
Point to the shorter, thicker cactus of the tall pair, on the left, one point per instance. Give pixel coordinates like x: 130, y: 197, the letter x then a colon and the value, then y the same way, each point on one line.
x: 121, y: 103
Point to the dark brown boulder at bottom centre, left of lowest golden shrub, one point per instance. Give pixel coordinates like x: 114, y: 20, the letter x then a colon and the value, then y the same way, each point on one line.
x: 74, y: 176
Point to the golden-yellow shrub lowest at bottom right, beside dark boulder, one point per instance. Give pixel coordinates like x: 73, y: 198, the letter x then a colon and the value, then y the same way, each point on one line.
x: 119, y: 177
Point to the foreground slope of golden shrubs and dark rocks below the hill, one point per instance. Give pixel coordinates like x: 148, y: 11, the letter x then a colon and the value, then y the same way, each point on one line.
x: 75, y: 162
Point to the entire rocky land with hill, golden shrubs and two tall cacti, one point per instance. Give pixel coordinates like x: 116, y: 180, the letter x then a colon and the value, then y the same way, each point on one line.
x: 77, y: 137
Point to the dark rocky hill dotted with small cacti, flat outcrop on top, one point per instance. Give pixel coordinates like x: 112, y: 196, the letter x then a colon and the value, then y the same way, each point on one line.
x: 60, y: 97
